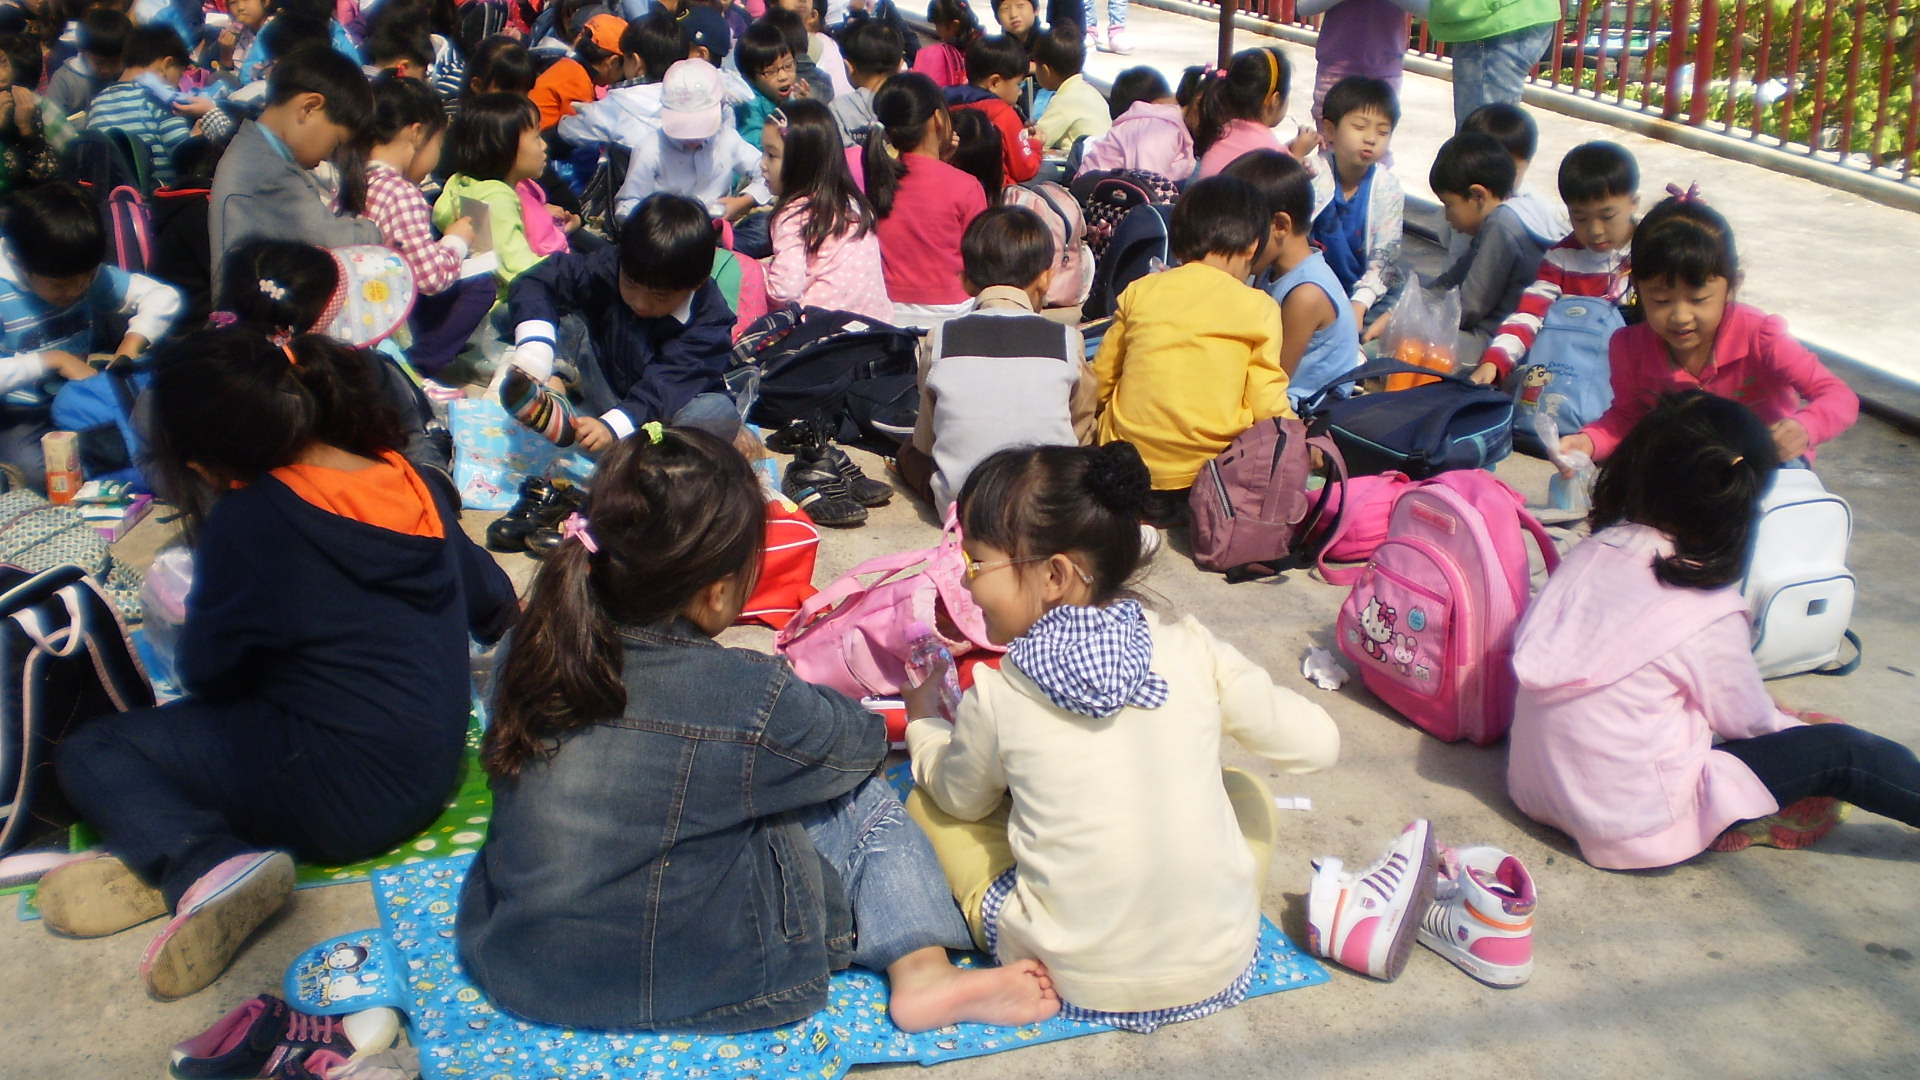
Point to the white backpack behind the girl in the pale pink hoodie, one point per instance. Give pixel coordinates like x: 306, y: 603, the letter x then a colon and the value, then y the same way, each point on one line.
x: 1798, y: 583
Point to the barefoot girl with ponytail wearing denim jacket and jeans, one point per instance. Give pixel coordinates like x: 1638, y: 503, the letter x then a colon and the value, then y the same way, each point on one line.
x: 732, y: 845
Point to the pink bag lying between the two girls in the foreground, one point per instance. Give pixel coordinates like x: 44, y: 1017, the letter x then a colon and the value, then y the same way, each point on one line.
x: 853, y: 637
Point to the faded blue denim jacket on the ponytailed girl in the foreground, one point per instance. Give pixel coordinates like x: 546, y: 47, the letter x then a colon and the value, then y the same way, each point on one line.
x: 652, y: 873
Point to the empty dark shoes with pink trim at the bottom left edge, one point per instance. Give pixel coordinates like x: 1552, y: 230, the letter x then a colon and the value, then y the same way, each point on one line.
x: 266, y: 1037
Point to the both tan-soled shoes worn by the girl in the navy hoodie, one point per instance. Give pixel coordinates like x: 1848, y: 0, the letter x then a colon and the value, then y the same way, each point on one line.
x: 99, y: 896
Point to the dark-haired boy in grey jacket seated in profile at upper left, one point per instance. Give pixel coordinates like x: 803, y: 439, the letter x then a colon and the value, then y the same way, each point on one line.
x: 266, y: 187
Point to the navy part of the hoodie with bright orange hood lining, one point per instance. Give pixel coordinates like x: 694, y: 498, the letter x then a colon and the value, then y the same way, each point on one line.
x: 354, y: 631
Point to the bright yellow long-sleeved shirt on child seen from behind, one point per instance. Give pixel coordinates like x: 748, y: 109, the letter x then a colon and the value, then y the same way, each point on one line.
x: 1193, y: 360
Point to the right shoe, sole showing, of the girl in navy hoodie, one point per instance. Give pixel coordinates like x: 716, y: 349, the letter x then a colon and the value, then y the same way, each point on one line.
x: 195, y: 950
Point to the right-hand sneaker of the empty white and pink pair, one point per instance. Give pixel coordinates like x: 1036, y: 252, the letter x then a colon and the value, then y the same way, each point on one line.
x: 1483, y: 916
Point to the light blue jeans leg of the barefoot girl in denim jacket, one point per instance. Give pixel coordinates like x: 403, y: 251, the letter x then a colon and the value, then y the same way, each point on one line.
x: 896, y: 885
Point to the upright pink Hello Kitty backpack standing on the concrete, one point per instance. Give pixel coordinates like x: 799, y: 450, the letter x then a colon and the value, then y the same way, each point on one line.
x: 1433, y: 614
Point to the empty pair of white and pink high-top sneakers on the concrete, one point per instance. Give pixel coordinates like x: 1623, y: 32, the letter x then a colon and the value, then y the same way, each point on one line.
x: 1474, y: 906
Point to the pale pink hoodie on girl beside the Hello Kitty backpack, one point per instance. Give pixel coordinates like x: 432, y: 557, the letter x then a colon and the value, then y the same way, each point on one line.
x: 1623, y: 685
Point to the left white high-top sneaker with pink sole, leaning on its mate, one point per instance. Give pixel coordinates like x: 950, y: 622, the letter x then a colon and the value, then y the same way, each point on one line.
x: 1366, y: 921
